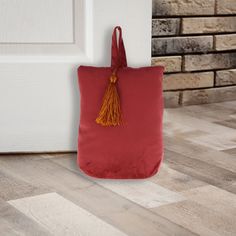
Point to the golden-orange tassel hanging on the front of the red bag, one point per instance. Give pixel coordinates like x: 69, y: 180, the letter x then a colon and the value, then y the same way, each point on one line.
x: 110, y: 112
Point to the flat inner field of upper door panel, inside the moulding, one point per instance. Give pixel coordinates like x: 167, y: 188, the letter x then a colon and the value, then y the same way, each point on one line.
x: 36, y: 21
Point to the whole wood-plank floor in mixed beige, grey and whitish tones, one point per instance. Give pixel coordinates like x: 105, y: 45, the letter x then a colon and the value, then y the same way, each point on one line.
x: 193, y: 194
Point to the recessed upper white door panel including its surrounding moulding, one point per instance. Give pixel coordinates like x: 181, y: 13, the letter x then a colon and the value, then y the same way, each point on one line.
x: 44, y: 27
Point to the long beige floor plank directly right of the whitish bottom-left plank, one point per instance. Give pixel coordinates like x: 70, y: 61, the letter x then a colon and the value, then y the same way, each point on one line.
x: 125, y: 215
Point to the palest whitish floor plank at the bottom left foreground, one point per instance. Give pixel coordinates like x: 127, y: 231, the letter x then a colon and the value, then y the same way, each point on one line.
x: 62, y: 217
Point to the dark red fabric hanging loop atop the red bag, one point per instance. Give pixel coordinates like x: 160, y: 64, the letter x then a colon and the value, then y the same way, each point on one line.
x: 118, y: 55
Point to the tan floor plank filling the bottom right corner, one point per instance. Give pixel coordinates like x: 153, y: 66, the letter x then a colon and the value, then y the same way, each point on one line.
x: 198, y: 218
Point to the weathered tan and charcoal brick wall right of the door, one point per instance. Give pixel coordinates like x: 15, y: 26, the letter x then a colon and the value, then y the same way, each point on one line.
x: 196, y: 41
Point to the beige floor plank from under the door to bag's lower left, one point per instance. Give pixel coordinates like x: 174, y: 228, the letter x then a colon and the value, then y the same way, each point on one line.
x: 43, y: 173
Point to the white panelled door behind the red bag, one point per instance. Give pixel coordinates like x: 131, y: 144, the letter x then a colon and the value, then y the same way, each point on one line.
x: 42, y: 42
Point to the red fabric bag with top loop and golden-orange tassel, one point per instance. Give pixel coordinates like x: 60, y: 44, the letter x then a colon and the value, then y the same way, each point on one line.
x: 121, y: 108
